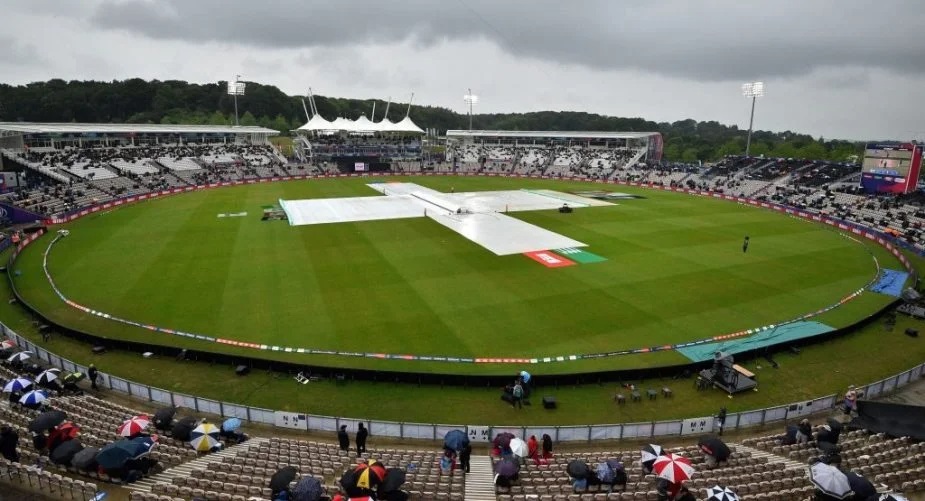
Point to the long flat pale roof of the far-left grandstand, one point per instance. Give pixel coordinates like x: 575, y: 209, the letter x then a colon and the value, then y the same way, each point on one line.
x: 85, y: 128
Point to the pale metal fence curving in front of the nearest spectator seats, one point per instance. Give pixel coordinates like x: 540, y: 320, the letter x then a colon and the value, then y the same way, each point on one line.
x: 586, y: 433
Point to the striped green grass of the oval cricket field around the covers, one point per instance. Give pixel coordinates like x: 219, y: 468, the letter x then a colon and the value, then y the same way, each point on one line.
x: 675, y: 272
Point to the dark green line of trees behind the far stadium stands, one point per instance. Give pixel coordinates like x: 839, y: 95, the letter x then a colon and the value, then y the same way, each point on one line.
x: 178, y: 102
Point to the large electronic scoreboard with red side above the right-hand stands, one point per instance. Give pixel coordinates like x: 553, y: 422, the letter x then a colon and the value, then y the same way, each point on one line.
x: 891, y: 167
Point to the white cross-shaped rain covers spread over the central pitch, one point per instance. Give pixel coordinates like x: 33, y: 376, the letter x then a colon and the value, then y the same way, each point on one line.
x: 477, y: 216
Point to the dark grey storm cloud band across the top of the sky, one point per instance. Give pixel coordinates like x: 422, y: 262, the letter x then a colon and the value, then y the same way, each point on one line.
x: 715, y: 40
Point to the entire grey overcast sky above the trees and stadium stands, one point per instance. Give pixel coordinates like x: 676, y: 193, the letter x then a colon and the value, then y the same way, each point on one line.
x: 834, y: 68
